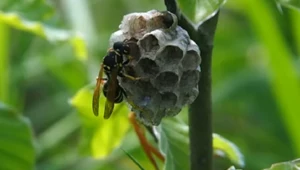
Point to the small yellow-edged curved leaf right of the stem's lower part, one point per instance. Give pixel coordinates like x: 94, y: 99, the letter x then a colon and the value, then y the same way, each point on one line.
x: 225, y: 148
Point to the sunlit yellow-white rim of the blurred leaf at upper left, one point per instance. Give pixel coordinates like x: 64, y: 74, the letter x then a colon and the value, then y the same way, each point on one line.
x: 49, y: 33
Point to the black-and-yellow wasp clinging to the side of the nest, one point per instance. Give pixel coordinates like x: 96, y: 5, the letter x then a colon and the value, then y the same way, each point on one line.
x: 112, y: 66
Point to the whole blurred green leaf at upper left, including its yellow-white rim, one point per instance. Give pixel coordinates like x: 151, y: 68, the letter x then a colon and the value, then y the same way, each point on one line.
x: 32, y: 16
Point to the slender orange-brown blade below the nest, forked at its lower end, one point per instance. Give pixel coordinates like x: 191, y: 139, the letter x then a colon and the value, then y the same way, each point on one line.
x: 147, y: 147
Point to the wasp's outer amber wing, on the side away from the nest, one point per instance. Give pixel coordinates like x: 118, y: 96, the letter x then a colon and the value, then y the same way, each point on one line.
x: 97, y: 92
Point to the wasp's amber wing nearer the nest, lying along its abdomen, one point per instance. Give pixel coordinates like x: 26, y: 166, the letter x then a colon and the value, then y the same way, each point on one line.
x: 111, y: 93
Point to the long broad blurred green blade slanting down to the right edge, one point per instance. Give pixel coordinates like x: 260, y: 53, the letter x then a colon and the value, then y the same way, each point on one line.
x: 283, y: 74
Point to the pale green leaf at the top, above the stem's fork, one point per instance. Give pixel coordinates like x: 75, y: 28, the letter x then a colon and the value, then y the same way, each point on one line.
x: 199, y: 11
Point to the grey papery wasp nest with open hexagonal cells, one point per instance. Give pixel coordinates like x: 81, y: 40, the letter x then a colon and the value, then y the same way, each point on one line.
x: 165, y: 58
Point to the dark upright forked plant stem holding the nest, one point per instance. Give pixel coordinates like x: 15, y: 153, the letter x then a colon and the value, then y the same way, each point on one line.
x: 200, y: 112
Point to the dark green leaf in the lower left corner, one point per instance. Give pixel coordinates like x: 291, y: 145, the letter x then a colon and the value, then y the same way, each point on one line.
x: 16, y: 141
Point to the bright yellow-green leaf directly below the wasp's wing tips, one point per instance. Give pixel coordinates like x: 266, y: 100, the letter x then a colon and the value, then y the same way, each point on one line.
x: 101, y: 136
